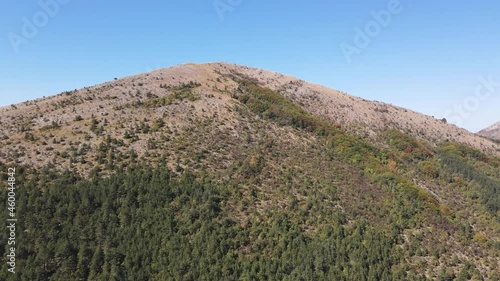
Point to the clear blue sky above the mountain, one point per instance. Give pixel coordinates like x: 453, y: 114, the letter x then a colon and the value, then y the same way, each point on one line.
x: 427, y: 58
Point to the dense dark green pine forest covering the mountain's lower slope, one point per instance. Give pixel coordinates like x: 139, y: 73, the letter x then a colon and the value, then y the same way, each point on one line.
x: 146, y: 224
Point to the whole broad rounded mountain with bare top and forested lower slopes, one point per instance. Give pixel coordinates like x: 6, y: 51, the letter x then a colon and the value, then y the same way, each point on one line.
x: 225, y: 172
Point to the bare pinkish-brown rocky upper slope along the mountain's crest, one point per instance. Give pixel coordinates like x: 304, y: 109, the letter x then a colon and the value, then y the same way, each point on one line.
x: 113, y: 103
